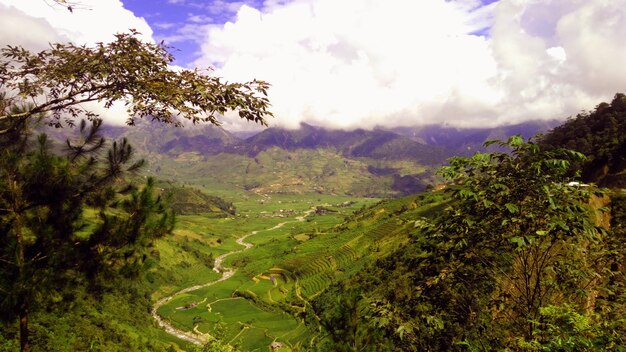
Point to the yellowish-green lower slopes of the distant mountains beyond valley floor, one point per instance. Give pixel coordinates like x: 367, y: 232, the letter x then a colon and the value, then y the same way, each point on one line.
x: 277, y: 171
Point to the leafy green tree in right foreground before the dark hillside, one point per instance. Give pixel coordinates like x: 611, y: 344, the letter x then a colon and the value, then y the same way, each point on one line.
x: 519, y: 235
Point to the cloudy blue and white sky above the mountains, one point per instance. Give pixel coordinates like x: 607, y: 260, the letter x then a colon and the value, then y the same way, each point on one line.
x: 370, y: 63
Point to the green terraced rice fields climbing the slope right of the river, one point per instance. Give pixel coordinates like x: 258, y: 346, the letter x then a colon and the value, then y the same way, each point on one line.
x: 267, y: 297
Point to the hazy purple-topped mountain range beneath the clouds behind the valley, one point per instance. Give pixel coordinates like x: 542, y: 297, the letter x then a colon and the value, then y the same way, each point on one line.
x: 376, y: 163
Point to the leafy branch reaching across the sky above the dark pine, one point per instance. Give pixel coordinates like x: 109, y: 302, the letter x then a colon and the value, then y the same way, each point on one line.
x: 58, y: 80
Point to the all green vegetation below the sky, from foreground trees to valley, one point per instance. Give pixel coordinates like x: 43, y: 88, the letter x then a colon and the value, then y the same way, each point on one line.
x: 512, y: 255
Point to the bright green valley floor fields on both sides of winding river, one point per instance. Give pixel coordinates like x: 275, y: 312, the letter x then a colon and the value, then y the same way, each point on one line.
x: 261, y: 303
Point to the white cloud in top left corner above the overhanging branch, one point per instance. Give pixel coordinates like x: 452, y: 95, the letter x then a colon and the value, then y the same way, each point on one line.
x: 36, y: 23
